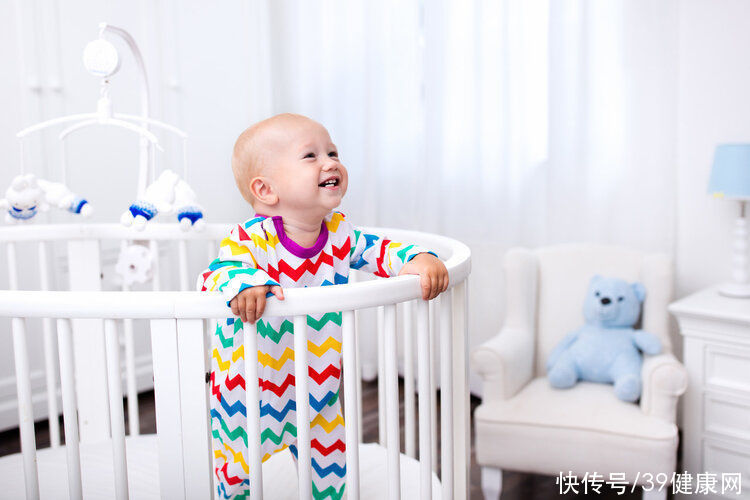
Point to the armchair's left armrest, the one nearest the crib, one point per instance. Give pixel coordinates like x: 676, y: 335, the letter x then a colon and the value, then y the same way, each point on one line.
x: 505, y: 363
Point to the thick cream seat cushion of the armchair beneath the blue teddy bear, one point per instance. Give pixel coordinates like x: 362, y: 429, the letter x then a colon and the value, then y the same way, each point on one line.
x: 586, y: 428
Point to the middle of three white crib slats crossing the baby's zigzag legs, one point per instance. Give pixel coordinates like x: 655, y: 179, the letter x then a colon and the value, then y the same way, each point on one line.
x: 303, y: 406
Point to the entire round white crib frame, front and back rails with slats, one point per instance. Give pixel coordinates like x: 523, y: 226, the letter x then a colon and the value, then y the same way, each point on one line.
x: 180, y: 362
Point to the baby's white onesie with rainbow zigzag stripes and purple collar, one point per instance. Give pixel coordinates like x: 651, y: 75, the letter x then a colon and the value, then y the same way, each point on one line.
x: 259, y: 252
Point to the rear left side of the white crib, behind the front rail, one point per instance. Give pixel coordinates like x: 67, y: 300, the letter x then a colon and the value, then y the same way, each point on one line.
x: 84, y: 260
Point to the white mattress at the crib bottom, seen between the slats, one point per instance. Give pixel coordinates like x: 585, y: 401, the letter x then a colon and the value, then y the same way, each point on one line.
x: 142, y: 456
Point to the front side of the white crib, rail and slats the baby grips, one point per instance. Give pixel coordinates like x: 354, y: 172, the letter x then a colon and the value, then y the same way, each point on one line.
x: 179, y: 346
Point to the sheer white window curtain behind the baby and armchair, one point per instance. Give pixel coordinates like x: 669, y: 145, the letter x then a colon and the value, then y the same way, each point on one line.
x: 500, y: 123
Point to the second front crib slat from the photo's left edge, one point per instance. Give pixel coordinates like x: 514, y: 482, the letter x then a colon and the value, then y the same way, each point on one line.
x: 70, y: 419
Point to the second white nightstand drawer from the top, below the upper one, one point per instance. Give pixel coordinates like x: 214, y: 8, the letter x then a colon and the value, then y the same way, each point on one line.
x: 727, y: 415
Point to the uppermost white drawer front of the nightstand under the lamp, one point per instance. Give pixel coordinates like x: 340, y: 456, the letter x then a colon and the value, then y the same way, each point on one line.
x: 727, y: 368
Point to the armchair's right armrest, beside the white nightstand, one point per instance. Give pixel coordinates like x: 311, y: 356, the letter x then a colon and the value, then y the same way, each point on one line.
x: 664, y: 381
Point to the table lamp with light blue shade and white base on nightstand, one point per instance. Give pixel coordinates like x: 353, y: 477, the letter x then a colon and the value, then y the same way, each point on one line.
x: 730, y: 179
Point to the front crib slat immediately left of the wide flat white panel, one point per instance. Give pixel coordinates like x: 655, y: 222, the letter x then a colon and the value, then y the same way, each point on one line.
x: 116, y: 417
